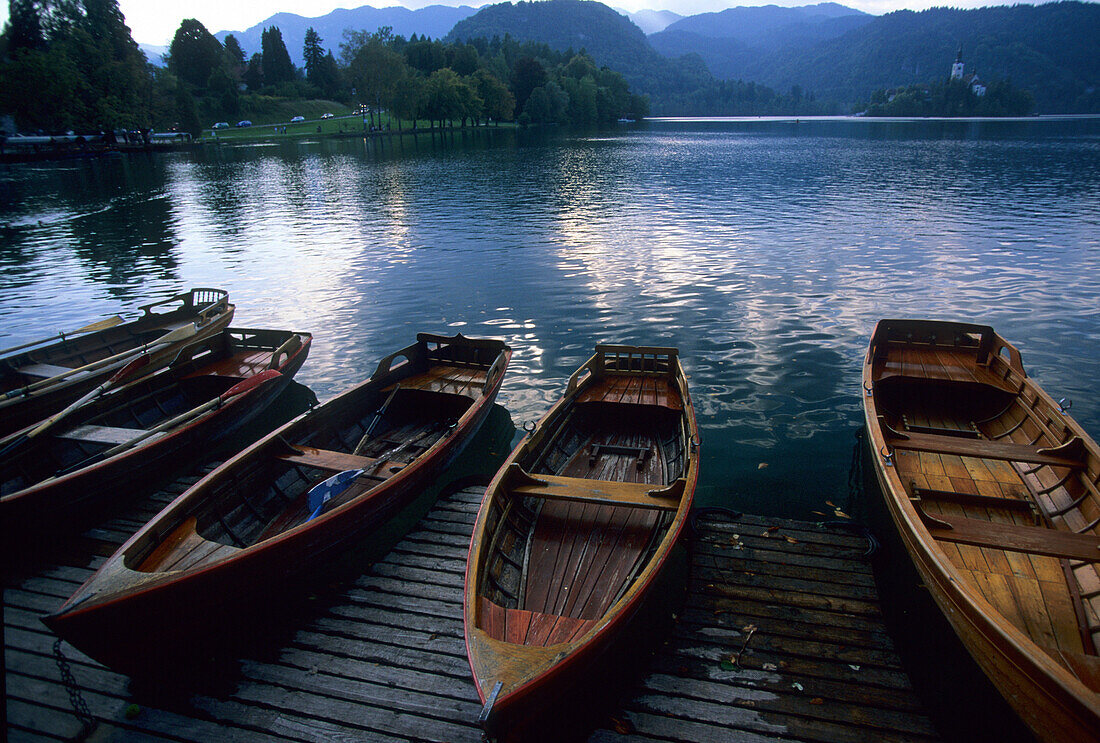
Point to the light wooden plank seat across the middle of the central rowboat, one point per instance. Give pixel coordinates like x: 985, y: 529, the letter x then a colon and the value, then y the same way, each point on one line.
x: 634, y: 495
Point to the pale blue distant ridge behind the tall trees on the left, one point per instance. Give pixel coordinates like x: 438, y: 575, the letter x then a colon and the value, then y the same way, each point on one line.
x: 435, y: 21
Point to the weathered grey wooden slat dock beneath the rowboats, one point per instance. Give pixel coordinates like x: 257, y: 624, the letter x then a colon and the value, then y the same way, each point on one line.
x: 780, y: 638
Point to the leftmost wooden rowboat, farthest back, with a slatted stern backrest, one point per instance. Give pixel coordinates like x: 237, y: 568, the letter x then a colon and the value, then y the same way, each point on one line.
x: 41, y: 378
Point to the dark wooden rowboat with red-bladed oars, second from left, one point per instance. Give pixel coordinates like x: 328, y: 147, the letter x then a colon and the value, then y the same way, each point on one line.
x: 114, y: 446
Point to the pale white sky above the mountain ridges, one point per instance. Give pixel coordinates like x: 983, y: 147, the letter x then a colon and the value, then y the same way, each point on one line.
x: 156, y: 21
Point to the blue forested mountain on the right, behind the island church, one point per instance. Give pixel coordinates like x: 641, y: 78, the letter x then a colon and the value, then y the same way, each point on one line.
x: 1050, y: 50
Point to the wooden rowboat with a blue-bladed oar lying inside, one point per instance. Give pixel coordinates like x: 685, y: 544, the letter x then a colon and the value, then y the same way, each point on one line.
x: 234, y: 541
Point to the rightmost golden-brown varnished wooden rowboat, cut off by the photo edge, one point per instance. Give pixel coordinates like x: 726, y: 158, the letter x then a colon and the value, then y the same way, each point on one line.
x: 994, y: 489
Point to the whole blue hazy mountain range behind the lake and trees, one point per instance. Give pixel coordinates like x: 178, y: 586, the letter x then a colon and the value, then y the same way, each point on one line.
x: 828, y: 51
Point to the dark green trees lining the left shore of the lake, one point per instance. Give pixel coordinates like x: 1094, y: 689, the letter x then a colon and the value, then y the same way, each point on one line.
x: 73, y: 65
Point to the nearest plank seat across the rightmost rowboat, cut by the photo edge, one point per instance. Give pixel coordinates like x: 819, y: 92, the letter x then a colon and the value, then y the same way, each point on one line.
x: 1013, y: 538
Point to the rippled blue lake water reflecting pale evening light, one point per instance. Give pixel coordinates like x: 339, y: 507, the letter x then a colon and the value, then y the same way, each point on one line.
x: 764, y: 249
